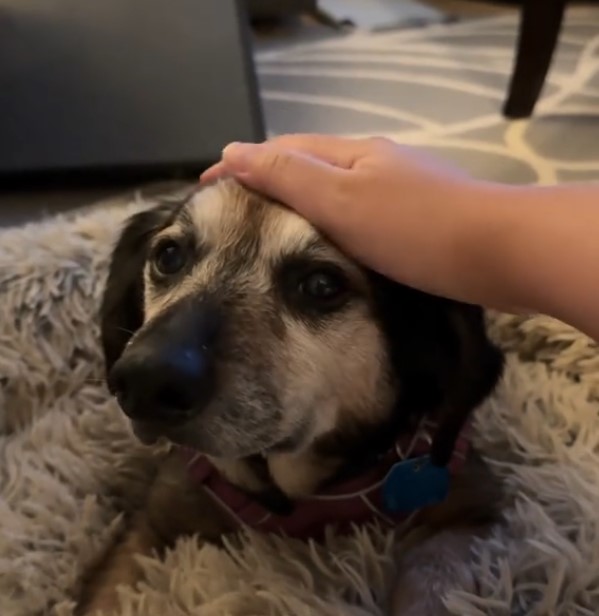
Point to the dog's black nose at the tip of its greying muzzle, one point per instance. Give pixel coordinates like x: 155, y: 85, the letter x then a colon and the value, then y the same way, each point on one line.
x: 160, y: 384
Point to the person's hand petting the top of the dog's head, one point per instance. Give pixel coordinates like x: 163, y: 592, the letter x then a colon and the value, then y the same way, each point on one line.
x: 396, y: 209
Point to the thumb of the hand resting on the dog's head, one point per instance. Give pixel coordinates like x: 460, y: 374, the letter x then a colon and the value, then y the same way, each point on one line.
x: 302, y: 182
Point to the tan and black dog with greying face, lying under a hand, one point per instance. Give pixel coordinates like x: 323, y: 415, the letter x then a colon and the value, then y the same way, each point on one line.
x: 282, y: 369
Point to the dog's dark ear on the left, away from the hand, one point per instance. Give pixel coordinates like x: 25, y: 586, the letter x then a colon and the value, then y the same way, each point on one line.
x: 121, y: 313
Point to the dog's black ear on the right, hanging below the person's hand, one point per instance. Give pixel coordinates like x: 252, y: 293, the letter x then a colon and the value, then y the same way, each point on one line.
x: 443, y: 360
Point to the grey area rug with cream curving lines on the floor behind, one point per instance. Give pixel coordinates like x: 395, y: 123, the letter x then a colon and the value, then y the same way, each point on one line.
x: 442, y: 87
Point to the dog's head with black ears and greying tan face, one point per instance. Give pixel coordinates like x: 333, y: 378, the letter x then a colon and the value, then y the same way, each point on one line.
x: 231, y: 325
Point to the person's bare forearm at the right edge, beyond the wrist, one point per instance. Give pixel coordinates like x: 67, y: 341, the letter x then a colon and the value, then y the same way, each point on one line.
x: 537, y: 249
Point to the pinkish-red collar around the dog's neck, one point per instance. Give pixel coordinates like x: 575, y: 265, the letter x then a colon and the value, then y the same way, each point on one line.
x: 357, y: 501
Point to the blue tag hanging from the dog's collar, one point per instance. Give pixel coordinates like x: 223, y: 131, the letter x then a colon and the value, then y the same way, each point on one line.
x: 413, y: 484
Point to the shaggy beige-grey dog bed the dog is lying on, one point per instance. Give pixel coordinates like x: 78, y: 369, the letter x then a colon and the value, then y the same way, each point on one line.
x: 69, y: 468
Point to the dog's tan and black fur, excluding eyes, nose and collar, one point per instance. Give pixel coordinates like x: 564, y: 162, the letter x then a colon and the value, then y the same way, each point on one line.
x: 302, y: 396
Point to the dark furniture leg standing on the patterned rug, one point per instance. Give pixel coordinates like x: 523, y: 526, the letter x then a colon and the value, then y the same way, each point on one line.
x: 540, y: 24
